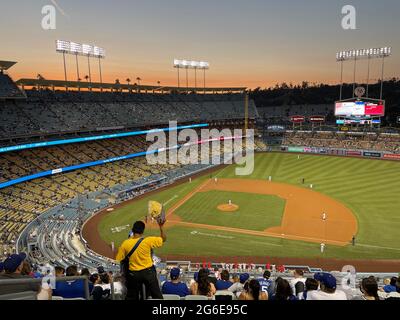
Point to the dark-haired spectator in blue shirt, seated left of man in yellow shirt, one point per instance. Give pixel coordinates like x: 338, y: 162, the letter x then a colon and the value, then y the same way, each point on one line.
x: 71, y: 288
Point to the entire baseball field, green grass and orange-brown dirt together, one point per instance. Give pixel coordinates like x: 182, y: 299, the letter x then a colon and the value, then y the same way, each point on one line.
x: 273, y: 213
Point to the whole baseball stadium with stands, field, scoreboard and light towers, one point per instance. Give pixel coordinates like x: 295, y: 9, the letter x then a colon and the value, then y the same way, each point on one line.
x: 293, y: 180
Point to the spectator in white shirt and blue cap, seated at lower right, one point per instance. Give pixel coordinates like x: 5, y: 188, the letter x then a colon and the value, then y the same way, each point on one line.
x: 328, y: 291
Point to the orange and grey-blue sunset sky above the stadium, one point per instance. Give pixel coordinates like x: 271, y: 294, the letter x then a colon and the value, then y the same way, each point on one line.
x: 248, y: 43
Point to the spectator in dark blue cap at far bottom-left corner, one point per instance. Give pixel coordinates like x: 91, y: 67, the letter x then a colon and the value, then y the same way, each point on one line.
x: 13, y: 265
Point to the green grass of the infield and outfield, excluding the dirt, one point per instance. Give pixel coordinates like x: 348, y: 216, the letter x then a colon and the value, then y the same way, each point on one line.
x: 370, y: 188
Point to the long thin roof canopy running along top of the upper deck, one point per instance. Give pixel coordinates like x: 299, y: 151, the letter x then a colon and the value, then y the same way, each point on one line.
x: 53, y: 84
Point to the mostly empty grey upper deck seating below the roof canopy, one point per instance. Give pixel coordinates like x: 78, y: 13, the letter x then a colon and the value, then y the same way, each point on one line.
x: 47, y: 112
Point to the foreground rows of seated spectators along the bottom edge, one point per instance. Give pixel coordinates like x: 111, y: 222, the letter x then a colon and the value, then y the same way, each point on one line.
x: 212, y: 284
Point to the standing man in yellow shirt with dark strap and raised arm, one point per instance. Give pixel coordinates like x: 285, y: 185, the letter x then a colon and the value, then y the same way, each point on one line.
x: 141, y: 269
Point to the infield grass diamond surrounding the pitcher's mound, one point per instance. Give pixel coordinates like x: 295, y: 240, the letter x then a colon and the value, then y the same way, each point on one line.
x: 256, y: 212
